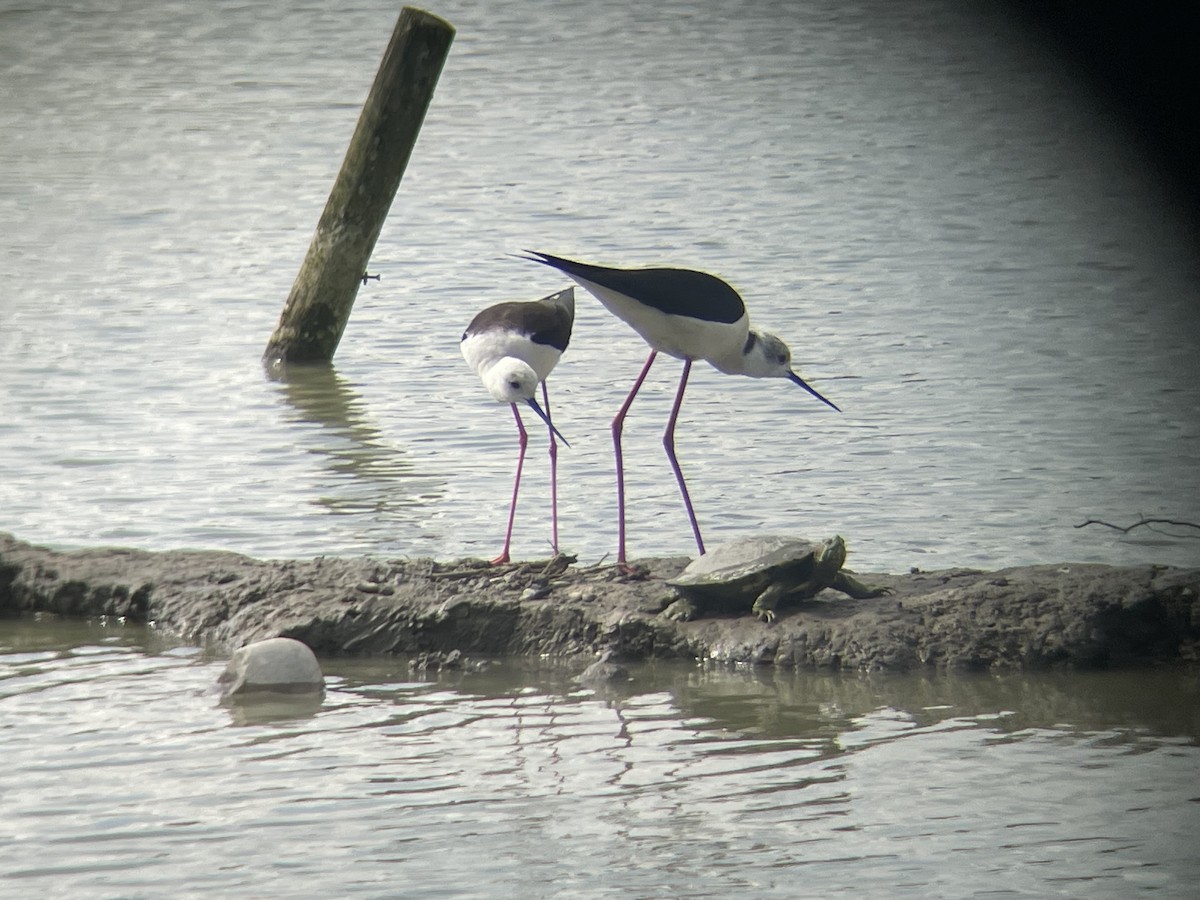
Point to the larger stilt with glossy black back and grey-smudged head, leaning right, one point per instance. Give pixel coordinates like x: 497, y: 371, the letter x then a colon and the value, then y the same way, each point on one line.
x: 687, y: 315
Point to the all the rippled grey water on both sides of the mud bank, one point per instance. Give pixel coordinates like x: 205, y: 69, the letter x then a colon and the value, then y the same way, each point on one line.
x: 965, y: 254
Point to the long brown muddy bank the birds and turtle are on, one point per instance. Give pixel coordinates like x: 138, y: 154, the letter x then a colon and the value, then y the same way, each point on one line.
x: 1030, y: 617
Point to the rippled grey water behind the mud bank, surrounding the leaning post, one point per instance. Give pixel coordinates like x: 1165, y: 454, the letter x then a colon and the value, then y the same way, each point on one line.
x: 965, y: 254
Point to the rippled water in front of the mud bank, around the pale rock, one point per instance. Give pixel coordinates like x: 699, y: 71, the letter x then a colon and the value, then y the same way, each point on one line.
x: 124, y: 777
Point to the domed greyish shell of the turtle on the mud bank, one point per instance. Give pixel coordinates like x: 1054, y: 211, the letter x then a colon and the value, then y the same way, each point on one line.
x: 740, y: 571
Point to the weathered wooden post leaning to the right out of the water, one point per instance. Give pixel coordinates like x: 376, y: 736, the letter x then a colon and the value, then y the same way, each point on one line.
x: 323, y: 295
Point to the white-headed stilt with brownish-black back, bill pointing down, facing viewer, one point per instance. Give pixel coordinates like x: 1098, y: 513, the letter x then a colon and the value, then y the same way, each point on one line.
x: 513, y: 347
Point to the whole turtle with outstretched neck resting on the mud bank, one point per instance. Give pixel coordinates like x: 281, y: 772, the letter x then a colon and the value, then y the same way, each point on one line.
x: 763, y: 572
